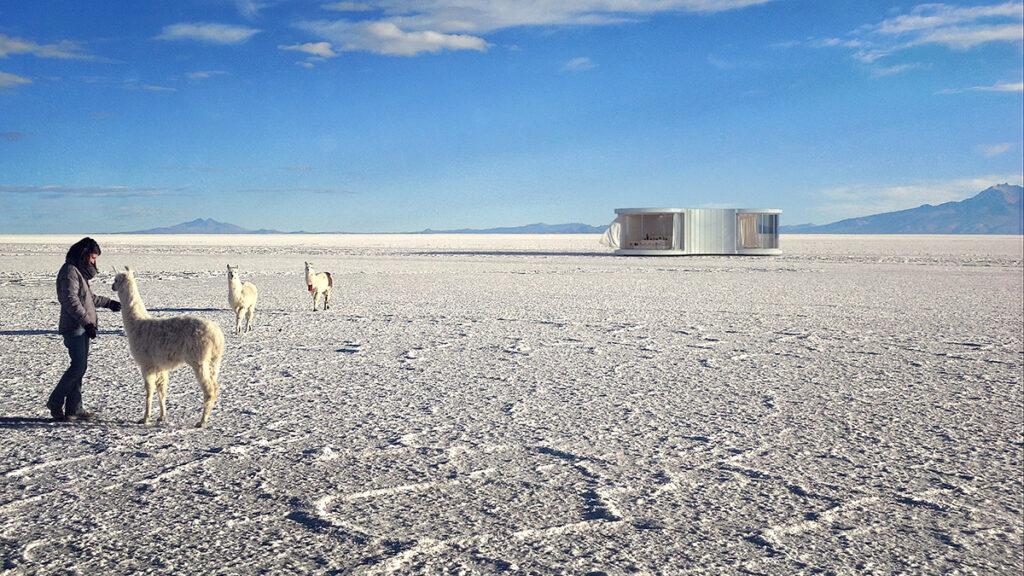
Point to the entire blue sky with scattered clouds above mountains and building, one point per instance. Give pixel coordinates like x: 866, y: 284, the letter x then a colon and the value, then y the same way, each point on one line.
x: 389, y: 116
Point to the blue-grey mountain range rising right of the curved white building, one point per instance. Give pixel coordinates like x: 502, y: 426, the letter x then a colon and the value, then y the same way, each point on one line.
x: 995, y: 211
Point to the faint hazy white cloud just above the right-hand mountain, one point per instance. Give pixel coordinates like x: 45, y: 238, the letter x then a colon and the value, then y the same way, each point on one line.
x: 846, y: 202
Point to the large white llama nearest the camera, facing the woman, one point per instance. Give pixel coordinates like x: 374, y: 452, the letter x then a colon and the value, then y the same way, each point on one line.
x: 161, y: 345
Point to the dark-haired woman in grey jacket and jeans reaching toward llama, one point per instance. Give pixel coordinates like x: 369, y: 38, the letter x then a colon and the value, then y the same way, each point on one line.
x: 78, y: 326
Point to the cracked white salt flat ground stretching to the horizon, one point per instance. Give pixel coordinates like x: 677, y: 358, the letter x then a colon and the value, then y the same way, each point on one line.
x: 531, y: 404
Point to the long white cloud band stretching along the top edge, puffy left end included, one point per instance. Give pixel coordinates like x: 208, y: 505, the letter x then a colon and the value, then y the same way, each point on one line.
x: 414, y: 27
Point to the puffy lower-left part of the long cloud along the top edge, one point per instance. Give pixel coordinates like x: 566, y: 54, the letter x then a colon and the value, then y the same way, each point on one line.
x: 387, y: 38
